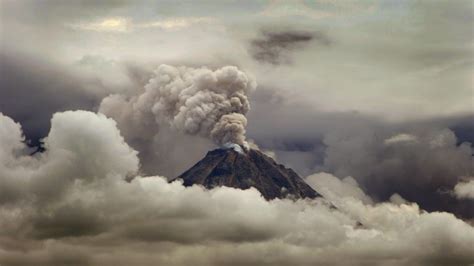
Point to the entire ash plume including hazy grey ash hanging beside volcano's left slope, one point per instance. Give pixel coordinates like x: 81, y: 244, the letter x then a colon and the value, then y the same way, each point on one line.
x: 180, y: 112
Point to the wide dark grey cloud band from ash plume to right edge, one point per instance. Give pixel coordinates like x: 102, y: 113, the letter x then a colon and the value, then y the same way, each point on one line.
x: 426, y: 160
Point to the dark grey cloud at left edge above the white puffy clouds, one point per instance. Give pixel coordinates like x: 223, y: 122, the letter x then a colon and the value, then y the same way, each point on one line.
x: 31, y: 90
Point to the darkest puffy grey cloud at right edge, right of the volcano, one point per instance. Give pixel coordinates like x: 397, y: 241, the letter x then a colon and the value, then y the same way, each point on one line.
x: 419, y: 166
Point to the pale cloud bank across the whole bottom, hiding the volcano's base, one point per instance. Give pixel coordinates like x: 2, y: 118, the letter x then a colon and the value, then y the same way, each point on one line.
x: 98, y: 218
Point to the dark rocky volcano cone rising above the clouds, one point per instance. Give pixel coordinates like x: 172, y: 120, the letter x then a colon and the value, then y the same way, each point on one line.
x: 239, y: 168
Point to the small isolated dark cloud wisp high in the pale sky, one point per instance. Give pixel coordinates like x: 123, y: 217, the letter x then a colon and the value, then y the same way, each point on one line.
x: 272, y: 47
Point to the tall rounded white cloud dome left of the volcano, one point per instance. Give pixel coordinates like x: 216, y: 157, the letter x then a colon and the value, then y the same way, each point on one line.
x: 92, y: 142
